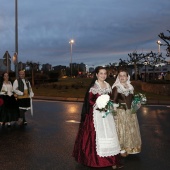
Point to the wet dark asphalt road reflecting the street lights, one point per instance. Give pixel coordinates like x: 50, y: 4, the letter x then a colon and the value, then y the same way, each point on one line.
x: 46, y: 143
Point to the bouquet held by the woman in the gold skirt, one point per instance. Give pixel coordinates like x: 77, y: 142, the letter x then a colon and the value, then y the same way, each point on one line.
x: 138, y: 100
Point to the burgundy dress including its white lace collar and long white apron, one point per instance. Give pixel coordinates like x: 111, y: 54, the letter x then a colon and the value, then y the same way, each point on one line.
x: 97, y: 143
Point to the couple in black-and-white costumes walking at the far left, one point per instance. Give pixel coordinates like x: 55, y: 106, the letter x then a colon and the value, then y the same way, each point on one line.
x: 15, y: 99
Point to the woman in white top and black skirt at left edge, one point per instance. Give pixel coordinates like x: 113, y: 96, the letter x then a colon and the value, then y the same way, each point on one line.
x: 9, y: 111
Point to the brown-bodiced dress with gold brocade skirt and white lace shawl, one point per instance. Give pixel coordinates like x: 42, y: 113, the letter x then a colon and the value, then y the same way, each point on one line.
x: 126, y: 121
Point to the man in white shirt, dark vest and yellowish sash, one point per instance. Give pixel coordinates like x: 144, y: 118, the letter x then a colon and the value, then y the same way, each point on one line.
x: 23, y: 90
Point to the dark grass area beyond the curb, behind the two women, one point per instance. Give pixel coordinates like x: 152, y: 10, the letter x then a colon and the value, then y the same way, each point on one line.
x: 76, y: 88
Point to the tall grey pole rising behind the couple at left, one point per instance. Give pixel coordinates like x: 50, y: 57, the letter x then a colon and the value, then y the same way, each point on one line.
x: 16, y: 38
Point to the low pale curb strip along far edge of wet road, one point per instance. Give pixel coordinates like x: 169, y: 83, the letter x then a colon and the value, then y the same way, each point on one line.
x: 157, y: 102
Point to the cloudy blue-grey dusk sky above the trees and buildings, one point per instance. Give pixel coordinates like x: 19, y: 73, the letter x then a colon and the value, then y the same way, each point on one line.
x: 104, y: 30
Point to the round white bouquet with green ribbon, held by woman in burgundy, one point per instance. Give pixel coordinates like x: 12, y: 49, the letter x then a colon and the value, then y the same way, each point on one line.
x: 105, y: 105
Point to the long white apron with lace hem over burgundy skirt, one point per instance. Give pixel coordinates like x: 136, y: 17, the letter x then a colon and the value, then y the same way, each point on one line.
x: 107, y: 143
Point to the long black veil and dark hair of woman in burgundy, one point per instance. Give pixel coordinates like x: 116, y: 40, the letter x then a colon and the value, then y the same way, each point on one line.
x: 86, y: 106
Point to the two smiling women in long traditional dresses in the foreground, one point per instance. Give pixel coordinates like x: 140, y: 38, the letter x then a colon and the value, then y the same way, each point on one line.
x: 102, y: 141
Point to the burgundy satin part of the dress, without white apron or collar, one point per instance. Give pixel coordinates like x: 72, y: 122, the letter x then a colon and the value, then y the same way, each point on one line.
x: 85, y: 145
